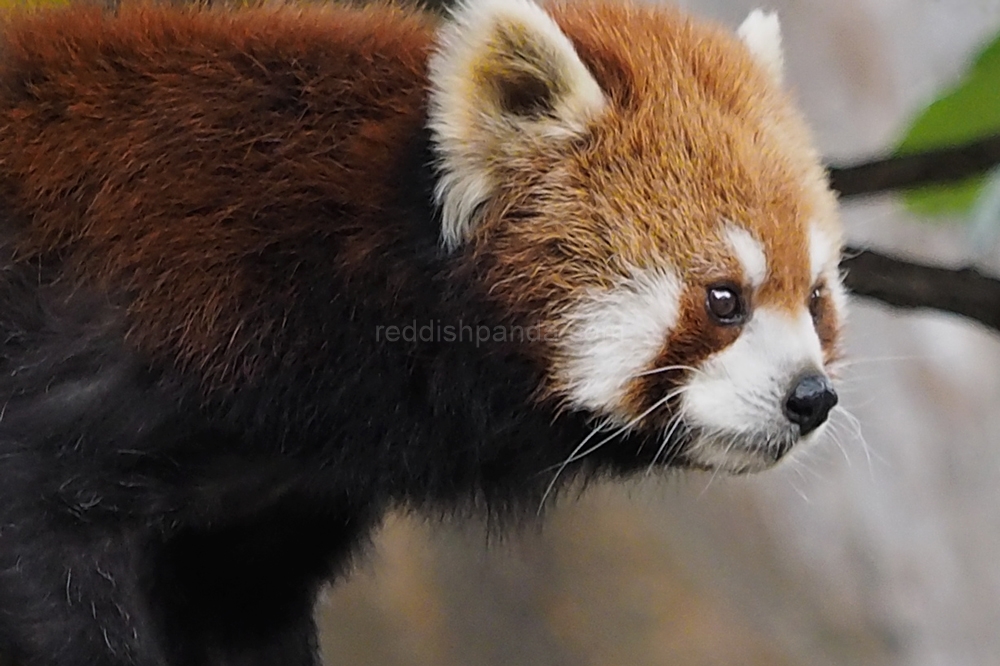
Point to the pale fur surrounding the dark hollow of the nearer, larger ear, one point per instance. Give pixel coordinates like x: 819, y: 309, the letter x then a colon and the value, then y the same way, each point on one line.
x: 469, y: 130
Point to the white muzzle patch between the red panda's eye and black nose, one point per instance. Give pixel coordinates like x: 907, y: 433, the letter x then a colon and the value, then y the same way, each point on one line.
x: 741, y: 389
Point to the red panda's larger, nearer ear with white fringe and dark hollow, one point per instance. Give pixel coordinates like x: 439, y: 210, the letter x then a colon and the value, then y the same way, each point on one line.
x: 504, y: 77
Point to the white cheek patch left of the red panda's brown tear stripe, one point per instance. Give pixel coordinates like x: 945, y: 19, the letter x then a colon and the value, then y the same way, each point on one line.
x: 616, y: 334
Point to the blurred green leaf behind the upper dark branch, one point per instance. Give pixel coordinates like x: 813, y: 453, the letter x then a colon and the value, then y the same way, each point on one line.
x: 969, y: 111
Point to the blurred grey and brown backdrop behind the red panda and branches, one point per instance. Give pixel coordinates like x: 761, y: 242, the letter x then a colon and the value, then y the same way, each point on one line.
x: 880, y: 545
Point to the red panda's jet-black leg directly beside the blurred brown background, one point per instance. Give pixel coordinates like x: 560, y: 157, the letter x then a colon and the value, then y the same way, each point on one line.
x: 244, y: 594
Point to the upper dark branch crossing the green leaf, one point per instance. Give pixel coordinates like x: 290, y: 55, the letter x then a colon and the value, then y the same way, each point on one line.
x: 933, y: 167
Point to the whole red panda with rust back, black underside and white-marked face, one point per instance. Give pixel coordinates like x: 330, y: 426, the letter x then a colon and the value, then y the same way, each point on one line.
x: 269, y: 273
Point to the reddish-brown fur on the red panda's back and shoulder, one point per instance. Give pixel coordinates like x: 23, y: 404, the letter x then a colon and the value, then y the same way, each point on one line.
x: 97, y: 120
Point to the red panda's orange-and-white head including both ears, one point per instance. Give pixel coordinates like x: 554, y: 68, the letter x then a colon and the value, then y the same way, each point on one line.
x: 640, y: 187
